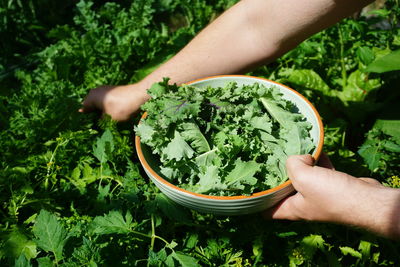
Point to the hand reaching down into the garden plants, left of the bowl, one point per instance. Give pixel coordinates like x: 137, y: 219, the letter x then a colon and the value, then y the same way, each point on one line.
x: 120, y: 102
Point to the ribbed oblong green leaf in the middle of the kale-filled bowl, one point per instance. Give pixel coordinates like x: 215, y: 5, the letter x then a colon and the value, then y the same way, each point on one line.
x: 191, y: 133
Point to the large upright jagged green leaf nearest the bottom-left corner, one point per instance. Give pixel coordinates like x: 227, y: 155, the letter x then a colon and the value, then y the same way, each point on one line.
x: 51, y: 235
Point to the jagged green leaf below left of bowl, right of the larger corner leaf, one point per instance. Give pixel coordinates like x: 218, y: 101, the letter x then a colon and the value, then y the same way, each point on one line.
x: 111, y: 223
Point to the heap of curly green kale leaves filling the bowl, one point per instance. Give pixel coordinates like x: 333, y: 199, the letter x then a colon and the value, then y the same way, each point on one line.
x: 223, y: 141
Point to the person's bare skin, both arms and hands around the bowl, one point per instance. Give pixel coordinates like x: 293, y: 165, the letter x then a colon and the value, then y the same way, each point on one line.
x: 252, y: 33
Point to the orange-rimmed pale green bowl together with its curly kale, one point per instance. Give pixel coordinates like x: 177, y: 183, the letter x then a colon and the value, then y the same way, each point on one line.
x: 220, y: 144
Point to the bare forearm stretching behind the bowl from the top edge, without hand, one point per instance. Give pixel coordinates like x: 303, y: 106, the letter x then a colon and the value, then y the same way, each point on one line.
x: 251, y: 33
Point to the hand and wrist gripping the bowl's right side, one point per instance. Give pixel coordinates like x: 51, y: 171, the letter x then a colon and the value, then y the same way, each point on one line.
x: 327, y: 195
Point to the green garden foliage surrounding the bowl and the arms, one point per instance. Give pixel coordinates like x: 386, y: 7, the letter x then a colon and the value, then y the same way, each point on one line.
x: 71, y: 189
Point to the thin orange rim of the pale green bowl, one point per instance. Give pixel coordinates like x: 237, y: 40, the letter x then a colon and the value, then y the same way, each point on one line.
x: 316, y: 153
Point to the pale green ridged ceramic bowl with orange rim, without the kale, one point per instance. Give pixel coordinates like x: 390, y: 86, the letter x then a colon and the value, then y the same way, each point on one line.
x: 233, y: 205
